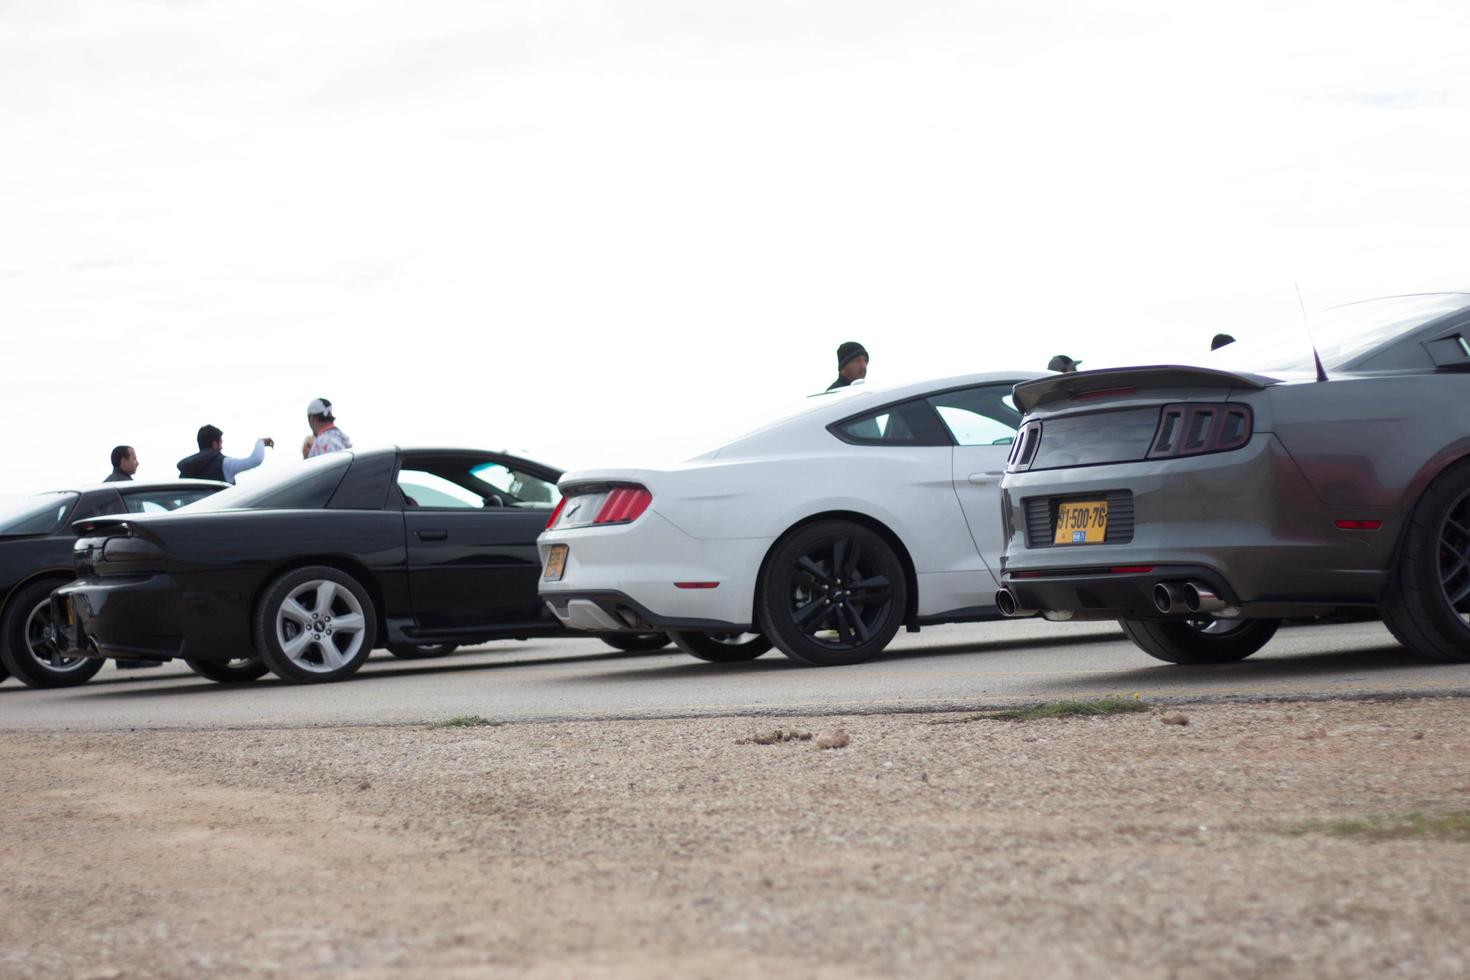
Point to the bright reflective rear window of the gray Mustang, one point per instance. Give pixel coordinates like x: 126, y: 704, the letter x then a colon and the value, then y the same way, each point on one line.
x: 1341, y: 336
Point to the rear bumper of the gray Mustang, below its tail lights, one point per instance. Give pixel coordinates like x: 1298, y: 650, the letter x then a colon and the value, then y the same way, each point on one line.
x: 1246, y: 524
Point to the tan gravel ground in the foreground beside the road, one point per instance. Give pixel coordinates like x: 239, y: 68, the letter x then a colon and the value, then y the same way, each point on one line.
x: 930, y: 846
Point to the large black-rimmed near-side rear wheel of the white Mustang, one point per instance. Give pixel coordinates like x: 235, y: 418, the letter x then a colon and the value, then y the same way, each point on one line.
x: 833, y: 593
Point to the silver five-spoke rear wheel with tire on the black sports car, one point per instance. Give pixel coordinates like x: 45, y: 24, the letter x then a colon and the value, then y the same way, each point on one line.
x: 315, y: 625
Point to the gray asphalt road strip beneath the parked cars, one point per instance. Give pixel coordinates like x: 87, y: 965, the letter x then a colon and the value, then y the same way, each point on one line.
x: 953, y: 668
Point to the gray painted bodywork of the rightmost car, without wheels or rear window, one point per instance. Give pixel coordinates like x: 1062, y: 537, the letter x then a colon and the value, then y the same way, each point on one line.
x: 1256, y: 524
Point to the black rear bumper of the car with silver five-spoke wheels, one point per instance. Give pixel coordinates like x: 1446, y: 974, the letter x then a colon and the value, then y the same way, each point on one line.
x: 149, y: 618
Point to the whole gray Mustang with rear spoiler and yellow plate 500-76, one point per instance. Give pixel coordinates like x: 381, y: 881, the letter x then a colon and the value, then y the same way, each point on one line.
x: 1202, y: 506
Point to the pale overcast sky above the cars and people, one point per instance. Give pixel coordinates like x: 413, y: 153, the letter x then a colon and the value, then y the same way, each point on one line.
x: 592, y: 231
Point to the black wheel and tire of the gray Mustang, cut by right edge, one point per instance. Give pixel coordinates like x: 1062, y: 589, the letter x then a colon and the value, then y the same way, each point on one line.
x: 1428, y: 600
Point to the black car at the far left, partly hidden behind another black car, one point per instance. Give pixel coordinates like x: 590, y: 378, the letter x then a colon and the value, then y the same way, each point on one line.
x: 36, y: 556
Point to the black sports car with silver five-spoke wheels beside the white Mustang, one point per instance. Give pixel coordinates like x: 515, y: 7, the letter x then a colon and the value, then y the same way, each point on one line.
x: 304, y: 575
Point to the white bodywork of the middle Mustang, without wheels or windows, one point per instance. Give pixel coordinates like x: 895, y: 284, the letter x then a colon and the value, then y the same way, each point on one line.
x: 715, y: 518
